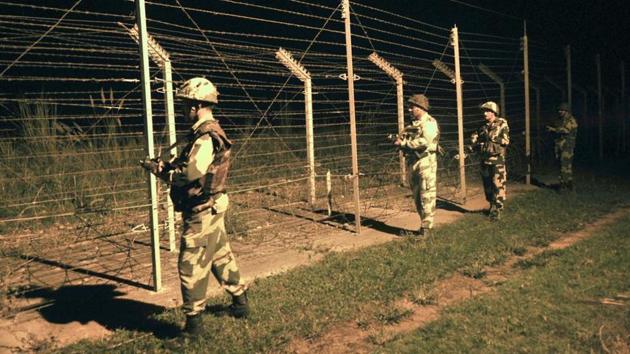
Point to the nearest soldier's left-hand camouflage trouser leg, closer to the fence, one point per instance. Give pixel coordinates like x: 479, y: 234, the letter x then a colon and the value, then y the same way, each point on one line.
x: 195, y: 261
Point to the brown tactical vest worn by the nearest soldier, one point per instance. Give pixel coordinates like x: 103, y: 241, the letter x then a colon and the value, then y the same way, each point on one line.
x: 199, y: 195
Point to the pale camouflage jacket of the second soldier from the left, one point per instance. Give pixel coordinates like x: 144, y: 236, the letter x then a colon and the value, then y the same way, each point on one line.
x: 420, y: 137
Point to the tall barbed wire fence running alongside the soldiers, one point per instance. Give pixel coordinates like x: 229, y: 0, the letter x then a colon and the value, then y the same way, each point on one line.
x: 75, y: 202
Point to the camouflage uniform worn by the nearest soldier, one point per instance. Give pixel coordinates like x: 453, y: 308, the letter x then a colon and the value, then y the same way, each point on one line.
x: 204, y: 245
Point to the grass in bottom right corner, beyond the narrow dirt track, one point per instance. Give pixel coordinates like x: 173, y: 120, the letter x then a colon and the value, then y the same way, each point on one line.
x: 554, y: 307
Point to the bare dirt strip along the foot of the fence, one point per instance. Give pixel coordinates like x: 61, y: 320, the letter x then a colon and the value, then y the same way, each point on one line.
x: 123, y: 306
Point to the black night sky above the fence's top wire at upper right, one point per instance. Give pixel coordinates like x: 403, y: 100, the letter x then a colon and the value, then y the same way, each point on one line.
x: 589, y: 26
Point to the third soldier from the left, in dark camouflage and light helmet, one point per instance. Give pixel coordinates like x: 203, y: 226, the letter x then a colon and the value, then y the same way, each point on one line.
x: 491, y: 140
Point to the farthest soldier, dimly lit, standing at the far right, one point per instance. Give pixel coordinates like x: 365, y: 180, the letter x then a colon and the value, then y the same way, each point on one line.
x: 565, y: 130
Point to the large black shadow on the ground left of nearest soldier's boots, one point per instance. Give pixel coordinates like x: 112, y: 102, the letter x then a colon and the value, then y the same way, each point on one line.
x: 100, y: 303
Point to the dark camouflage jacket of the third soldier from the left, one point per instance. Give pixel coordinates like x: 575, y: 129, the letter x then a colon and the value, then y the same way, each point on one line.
x: 491, y: 140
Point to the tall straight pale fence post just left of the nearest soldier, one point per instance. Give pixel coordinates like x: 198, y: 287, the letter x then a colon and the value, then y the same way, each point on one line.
x: 148, y: 133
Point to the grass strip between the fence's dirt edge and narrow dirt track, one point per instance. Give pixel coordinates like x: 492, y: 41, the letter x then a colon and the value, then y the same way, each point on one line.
x: 356, y: 286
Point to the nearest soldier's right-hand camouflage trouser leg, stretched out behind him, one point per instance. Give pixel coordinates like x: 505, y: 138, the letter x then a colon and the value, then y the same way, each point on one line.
x: 224, y: 265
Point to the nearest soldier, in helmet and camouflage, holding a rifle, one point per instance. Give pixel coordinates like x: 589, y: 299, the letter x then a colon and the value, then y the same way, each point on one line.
x: 197, y: 178
